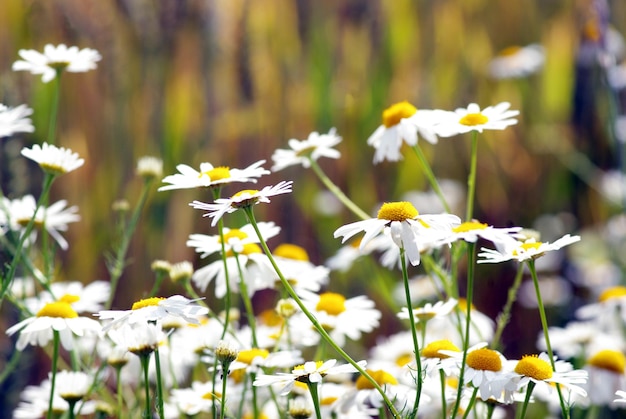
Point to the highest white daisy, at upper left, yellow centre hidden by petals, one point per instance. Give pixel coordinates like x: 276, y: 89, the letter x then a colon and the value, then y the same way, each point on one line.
x: 56, y: 59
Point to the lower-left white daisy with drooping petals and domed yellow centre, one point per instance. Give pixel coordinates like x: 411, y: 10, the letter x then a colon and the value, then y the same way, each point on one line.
x: 57, y: 316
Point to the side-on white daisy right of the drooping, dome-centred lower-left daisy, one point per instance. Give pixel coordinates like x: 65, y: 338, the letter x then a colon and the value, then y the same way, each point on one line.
x: 153, y: 310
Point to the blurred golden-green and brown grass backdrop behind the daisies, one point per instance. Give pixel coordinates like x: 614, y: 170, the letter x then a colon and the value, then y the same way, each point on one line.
x: 230, y: 81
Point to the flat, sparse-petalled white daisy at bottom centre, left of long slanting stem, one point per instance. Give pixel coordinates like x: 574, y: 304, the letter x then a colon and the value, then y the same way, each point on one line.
x: 309, y: 372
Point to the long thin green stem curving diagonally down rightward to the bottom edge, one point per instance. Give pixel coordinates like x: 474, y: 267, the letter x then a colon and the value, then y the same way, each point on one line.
x: 320, y: 329
